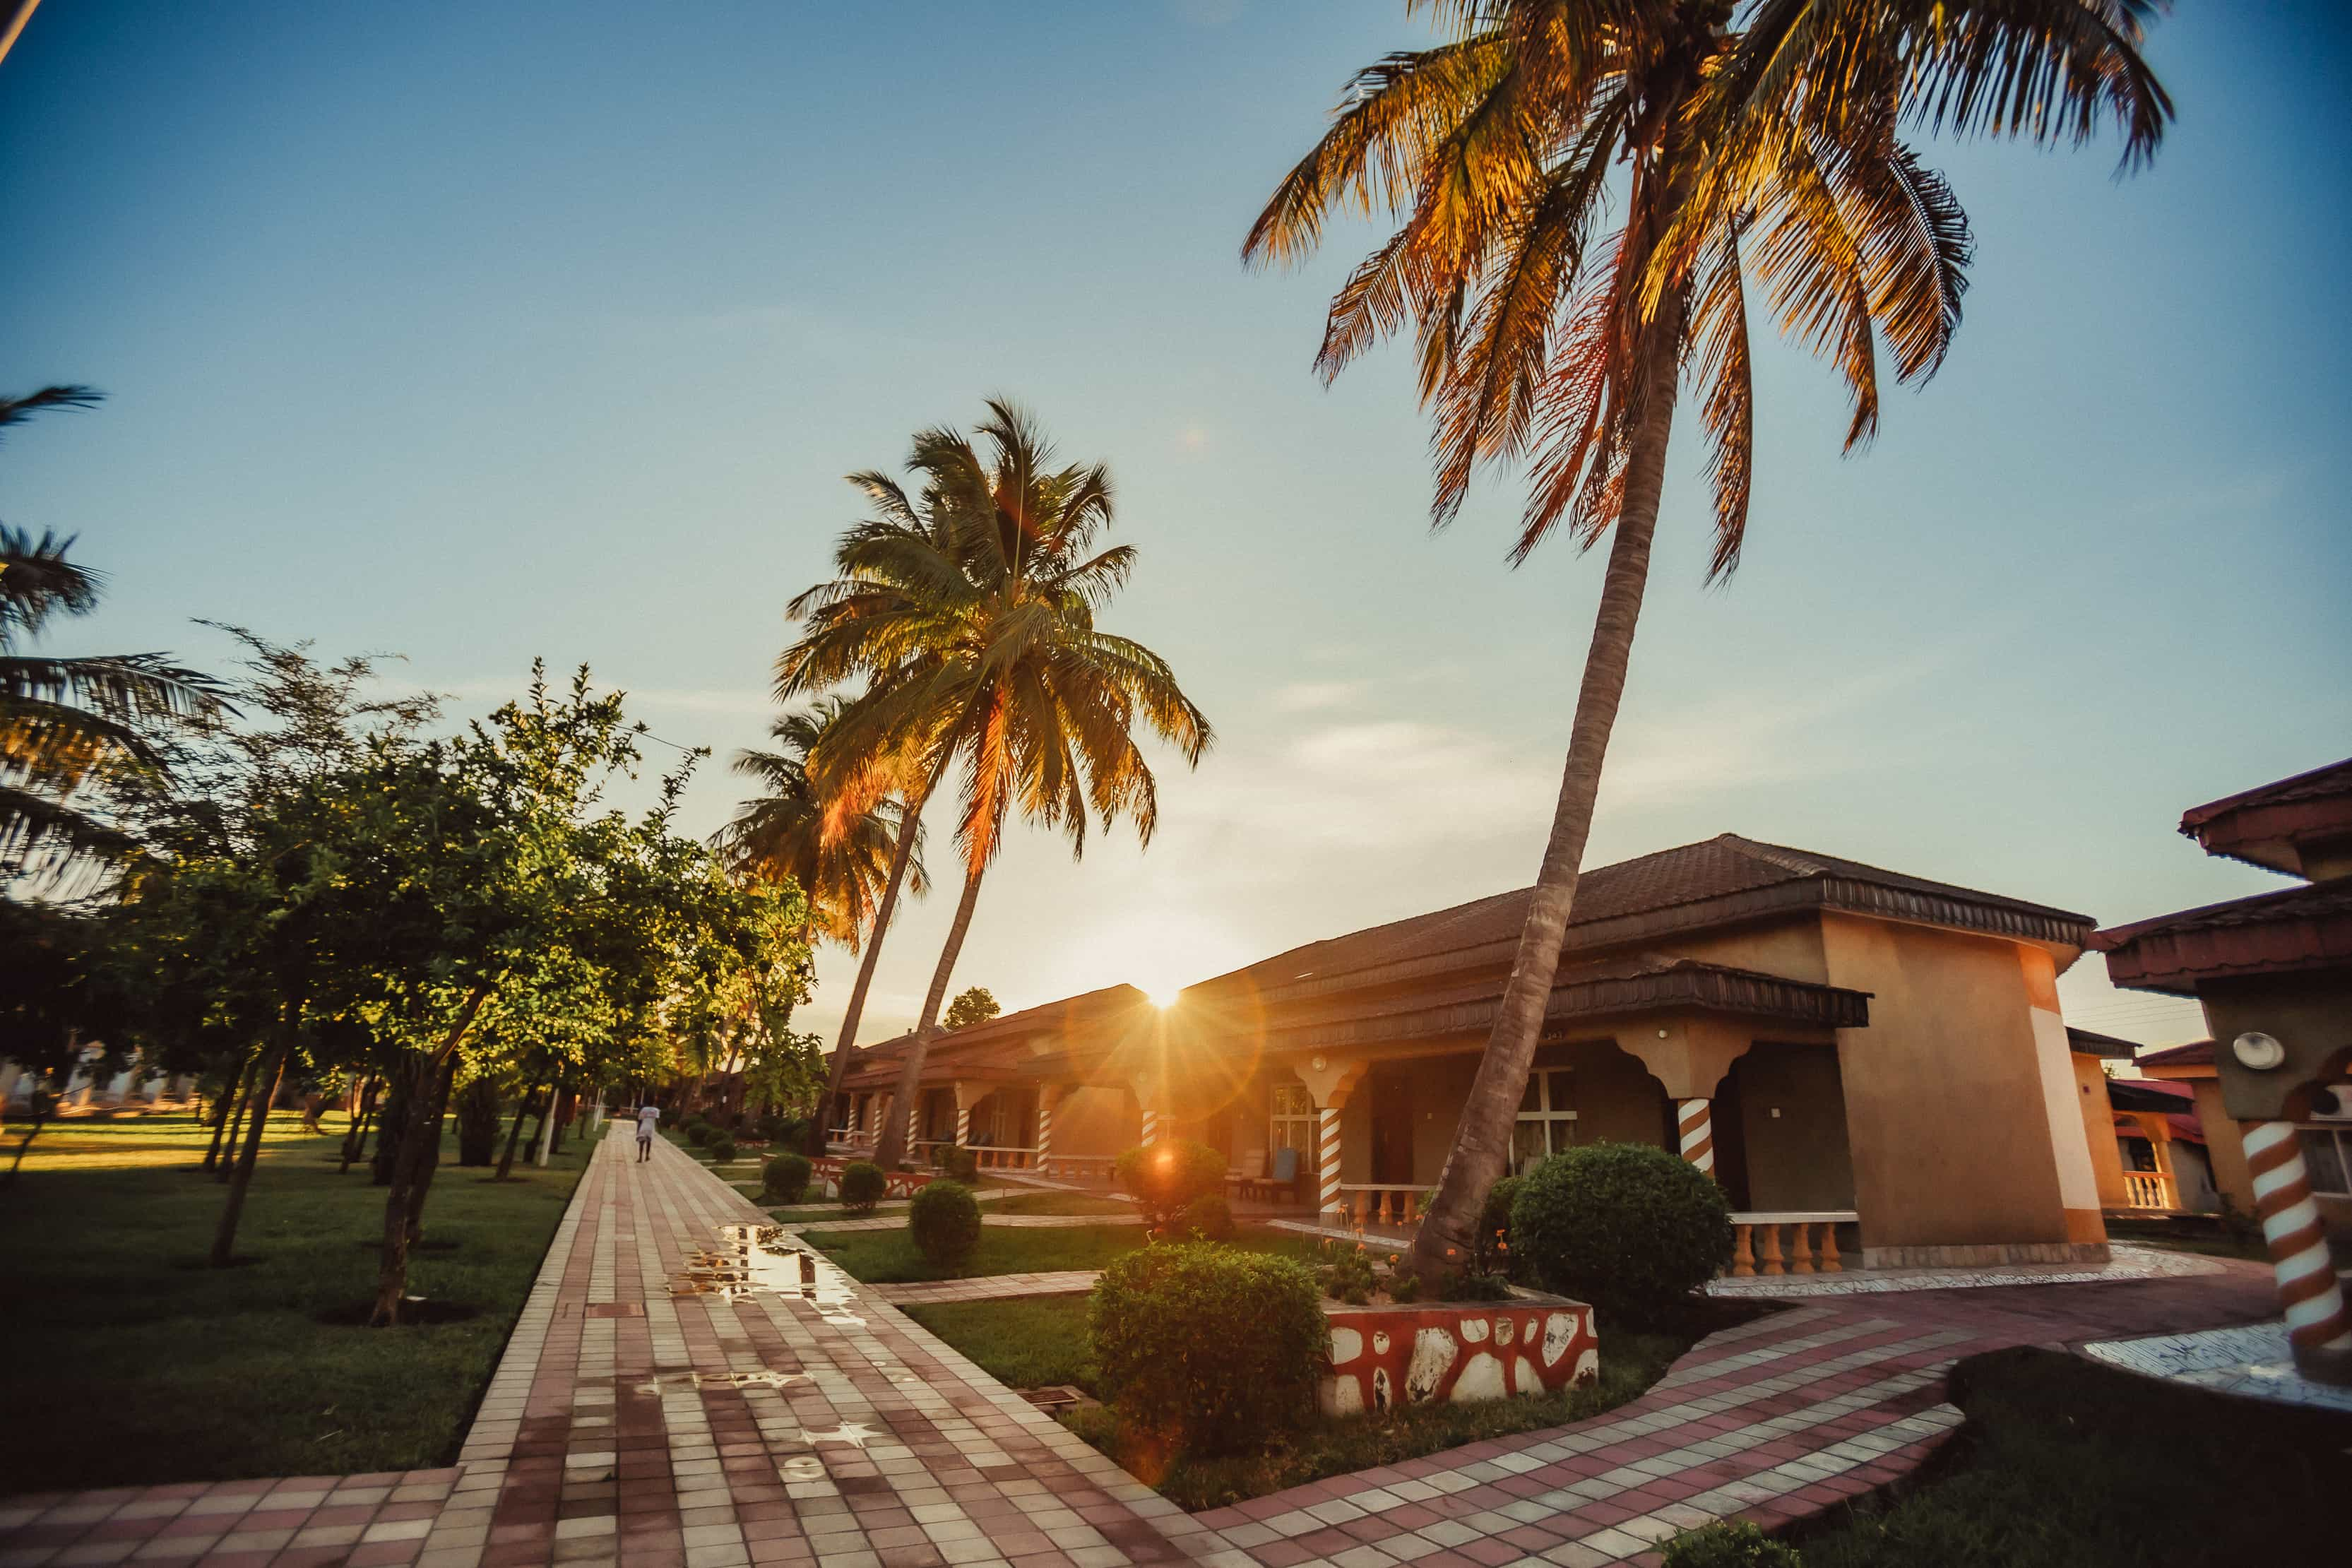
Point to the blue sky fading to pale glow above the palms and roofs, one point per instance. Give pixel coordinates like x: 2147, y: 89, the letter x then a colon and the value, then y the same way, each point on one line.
x: 549, y: 328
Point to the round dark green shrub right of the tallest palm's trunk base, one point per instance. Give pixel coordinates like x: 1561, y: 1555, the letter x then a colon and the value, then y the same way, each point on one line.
x: 1622, y: 1226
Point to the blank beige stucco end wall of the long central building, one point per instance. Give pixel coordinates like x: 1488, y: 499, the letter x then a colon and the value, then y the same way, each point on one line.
x: 1946, y: 1108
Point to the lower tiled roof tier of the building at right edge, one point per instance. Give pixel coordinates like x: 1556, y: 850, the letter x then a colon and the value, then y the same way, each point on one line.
x: 2306, y: 927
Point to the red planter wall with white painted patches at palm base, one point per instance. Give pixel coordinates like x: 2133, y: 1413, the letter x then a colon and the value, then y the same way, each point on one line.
x: 1462, y: 1353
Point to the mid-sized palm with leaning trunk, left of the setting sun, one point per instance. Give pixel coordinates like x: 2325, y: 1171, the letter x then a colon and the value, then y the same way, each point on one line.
x: 970, y: 608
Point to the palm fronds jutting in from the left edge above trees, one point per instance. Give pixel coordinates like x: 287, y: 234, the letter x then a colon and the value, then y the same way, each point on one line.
x: 69, y: 721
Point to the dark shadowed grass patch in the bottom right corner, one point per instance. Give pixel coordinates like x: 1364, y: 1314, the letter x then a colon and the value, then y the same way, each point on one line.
x: 2080, y: 1466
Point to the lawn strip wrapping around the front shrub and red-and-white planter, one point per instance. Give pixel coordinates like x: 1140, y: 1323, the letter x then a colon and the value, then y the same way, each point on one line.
x: 1043, y: 1341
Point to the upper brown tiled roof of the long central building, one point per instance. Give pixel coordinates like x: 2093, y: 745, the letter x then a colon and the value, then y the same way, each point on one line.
x: 1706, y: 873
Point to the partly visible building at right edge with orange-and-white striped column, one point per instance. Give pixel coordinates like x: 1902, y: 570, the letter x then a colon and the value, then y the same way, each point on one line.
x: 2273, y: 974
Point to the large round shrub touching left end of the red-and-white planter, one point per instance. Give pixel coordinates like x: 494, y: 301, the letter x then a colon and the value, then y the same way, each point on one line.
x: 1208, y: 1348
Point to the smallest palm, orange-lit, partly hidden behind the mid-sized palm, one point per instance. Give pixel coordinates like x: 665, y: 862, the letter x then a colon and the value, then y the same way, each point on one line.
x: 841, y: 852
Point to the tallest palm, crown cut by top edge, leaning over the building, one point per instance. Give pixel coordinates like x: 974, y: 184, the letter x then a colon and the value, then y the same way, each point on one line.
x: 1584, y: 194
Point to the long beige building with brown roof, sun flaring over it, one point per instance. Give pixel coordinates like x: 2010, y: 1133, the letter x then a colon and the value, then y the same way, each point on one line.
x: 1864, y: 1059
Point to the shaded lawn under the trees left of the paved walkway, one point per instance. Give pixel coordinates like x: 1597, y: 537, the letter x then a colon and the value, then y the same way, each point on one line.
x: 133, y: 1365
